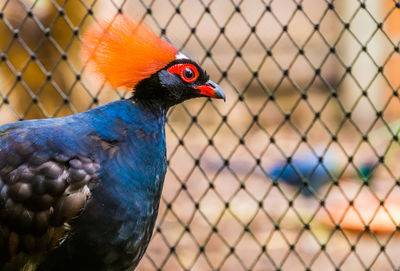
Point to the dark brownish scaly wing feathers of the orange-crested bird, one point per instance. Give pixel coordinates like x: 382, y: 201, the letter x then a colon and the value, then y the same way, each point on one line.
x: 40, y: 193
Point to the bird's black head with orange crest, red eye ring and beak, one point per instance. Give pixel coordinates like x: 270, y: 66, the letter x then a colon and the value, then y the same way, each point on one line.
x: 129, y: 55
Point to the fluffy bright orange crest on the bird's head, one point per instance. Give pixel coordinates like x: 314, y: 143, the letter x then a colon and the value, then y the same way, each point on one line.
x: 125, y: 52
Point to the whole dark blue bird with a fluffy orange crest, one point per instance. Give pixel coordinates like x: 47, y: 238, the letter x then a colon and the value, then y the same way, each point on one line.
x: 82, y: 192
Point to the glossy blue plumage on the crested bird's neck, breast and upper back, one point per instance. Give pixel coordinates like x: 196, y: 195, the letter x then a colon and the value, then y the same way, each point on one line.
x: 127, y: 140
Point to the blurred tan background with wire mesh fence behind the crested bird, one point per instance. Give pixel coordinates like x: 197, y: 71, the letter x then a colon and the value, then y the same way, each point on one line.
x: 296, y: 171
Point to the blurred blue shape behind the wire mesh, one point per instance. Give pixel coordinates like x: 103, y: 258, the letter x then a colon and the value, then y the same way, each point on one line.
x: 305, y: 170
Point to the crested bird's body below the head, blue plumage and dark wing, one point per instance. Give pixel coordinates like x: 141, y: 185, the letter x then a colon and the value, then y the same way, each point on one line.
x: 84, y: 187
